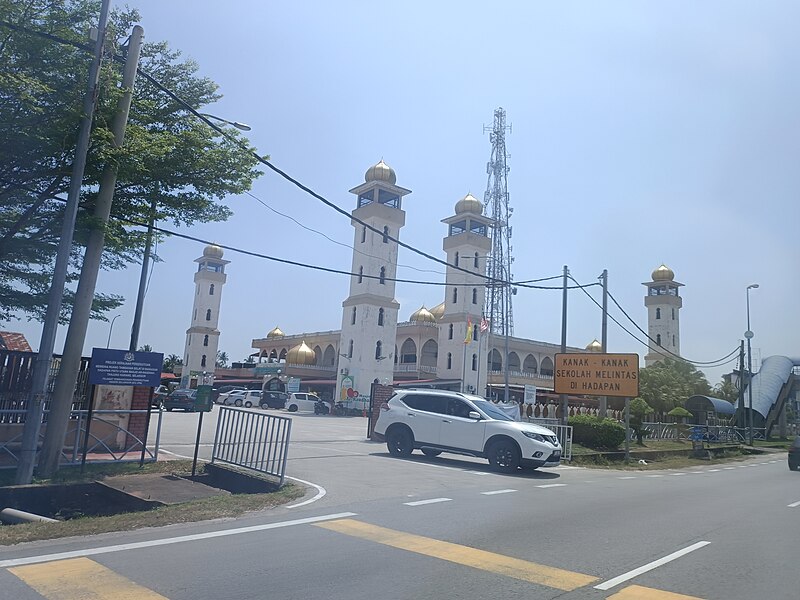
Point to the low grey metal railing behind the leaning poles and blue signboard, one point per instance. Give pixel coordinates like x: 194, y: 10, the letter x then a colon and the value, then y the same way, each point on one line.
x: 110, y: 440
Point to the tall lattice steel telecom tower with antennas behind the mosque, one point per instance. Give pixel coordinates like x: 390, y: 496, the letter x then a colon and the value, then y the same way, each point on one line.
x: 496, y: 205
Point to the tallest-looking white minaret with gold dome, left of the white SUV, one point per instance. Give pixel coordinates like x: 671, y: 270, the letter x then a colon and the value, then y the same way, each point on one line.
x: 369, y: 314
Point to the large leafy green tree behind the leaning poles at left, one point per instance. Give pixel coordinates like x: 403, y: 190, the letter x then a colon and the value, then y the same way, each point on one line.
x: 169, y: 157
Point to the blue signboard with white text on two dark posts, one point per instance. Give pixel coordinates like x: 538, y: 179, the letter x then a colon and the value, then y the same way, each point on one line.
x: 121, y: 367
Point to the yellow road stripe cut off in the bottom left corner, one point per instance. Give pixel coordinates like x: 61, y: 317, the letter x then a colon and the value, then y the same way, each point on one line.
x: 80, y: 578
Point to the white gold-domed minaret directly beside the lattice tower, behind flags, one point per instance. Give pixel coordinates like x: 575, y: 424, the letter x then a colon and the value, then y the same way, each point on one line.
x: 467, y: 243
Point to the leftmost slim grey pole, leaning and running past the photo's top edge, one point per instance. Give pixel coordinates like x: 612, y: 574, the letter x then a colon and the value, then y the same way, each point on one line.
x: 41, y: 370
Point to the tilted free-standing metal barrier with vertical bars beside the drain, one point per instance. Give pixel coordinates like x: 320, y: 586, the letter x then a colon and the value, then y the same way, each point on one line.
x: 252, y: 440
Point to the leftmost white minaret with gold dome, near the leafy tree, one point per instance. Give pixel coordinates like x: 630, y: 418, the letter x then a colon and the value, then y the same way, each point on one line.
x: 202, y: 337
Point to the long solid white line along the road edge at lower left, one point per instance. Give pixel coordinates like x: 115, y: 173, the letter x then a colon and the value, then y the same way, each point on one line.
x: 31, y: 560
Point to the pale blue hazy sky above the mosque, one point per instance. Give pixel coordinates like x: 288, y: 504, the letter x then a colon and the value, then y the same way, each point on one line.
x: 641, y: 133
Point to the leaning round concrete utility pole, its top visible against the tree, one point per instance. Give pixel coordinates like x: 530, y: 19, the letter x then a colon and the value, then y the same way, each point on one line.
x: 76, y: 334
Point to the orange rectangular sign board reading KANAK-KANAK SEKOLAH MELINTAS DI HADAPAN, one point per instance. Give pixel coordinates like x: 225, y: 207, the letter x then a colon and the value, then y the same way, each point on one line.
x: 597, y: 374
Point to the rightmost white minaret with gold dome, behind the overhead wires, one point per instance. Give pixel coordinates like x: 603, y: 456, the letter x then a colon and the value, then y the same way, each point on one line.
x: 663, y: 315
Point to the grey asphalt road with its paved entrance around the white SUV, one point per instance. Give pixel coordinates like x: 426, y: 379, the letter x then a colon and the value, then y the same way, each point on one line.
x: 447, y: 528
